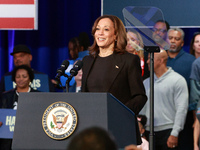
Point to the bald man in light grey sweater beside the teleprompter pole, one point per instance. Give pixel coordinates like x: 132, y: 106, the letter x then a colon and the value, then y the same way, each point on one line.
x: 170, y: 103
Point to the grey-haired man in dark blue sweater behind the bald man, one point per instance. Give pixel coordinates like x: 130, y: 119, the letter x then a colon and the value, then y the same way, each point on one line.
x: 181, y: 62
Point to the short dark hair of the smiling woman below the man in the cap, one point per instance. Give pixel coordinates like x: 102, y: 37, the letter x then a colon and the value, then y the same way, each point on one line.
x: 25, y: 67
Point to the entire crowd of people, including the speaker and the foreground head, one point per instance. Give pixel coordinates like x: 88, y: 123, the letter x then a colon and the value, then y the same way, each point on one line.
x: 117, y: 63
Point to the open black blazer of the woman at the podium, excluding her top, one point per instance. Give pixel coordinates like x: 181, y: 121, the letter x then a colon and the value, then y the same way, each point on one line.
x: 126, y: 81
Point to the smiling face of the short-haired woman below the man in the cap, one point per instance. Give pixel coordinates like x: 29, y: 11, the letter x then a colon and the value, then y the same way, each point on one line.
x: 22, y: 78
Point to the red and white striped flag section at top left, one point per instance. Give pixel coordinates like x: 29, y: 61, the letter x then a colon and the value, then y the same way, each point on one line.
x: 18, y: 14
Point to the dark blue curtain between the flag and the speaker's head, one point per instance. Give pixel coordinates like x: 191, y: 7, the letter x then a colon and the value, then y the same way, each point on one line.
x: 58, y: 21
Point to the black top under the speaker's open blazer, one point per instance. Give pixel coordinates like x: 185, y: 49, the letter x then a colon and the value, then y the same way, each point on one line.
x: 98, y: 79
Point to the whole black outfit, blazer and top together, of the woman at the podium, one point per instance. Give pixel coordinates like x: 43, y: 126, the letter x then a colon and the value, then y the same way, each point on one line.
x: 123, y: 78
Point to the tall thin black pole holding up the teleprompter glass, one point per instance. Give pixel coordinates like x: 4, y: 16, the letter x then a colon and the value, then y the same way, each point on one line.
x: 151, y: 50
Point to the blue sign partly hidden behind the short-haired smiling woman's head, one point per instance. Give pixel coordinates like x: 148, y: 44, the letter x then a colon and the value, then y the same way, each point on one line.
x: 40, y: 82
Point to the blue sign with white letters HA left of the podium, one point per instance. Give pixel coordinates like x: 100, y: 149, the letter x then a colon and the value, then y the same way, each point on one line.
x: 7, y: 117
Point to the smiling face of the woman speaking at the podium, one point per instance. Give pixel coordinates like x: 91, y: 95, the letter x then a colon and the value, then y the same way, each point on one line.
x: 105, y: 34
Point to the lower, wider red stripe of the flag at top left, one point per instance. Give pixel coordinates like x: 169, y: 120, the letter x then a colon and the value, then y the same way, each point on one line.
x: 16, y: 23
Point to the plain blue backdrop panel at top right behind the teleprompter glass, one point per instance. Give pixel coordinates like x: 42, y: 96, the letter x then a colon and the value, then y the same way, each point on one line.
x: 176, y: 12
